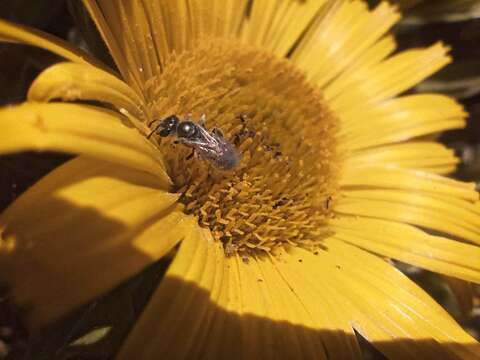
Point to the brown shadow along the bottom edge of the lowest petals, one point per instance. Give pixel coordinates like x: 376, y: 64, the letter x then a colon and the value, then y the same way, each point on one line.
x: 191, y: 326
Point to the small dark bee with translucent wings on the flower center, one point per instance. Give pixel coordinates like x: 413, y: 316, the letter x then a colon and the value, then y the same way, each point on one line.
x: 210, y: 145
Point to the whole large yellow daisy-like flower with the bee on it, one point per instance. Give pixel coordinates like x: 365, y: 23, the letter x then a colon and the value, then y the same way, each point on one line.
x: 285, y: 256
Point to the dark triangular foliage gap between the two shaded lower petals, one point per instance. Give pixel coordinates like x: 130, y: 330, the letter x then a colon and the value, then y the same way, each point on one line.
x: 95, y: 331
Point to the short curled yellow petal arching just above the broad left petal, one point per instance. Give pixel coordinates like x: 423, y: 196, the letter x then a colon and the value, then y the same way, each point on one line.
x: 71, y: 81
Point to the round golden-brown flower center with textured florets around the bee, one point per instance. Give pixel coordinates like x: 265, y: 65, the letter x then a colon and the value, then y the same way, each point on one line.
x: 282, y: 190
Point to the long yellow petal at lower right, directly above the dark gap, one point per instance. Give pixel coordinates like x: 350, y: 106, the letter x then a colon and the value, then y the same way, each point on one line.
x: 410, y: 245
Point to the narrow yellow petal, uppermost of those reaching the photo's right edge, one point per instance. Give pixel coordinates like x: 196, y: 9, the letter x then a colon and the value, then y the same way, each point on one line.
x: 391, y: 177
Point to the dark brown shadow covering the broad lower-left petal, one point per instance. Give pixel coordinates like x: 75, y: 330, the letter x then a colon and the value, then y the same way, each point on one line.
x: 51, y: 271
